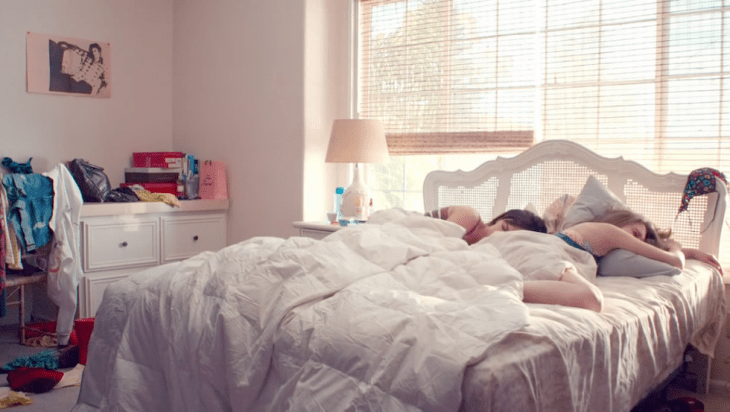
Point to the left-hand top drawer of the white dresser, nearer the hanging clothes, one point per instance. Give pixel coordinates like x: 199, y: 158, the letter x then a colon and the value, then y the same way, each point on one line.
x: 120, y: 243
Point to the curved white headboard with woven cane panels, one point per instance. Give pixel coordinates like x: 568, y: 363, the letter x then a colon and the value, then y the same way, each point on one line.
x: 550, y: 169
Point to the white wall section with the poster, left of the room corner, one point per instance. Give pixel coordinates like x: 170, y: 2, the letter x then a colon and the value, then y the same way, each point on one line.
x: 55, y: 128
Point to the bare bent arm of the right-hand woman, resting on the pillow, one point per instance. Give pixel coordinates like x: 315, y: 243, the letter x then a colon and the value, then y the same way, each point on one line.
x: 605, y: 237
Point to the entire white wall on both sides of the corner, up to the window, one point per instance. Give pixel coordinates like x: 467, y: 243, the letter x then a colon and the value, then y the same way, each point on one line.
x: 255, y: 83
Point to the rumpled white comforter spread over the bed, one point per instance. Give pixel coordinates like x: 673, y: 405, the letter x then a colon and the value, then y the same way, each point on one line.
x: 383, y: 316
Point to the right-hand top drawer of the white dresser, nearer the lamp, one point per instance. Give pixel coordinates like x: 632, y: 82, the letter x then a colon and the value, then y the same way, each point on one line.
x: 183, y: 237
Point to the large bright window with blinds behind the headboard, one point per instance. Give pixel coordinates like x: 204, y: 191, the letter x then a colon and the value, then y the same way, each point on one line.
x: 648, y: 80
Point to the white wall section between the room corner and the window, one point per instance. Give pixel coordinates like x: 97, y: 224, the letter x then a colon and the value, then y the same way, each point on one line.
x: 257, y: 84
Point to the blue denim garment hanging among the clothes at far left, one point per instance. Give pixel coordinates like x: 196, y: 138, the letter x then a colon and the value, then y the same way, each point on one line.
x: 30, y: 199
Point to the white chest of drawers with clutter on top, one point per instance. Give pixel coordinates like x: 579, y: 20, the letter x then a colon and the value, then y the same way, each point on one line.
x: 120, y: 239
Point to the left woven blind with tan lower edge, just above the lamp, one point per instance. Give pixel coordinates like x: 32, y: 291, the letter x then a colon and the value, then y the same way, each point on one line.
x: 428, y: 72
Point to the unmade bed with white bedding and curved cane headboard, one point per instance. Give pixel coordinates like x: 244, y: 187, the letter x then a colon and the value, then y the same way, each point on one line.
x: 399, y: 314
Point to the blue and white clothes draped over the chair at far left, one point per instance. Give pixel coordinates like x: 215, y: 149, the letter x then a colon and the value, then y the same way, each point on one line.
x: 39, y: 231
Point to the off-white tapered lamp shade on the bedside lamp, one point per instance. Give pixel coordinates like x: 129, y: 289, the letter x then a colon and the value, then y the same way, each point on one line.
x: 357, y: 141
